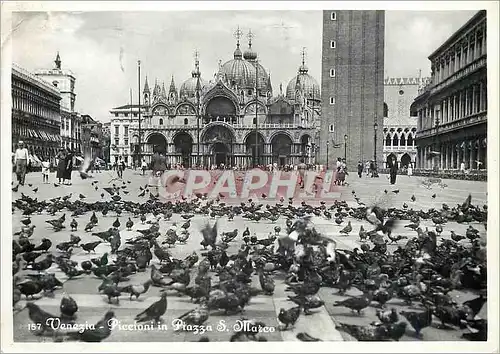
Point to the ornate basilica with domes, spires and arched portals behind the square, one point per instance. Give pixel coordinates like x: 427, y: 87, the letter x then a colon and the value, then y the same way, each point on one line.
x: 235, y: 119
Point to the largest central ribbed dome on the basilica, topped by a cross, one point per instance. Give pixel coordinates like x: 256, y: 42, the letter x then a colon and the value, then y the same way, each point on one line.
x: 239, y: 71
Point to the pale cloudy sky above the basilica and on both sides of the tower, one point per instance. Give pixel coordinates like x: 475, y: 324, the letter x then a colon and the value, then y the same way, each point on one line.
x: 102, y: 48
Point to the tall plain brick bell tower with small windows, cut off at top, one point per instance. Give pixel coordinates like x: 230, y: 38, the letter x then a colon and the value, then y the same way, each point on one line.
x: 352, y: 85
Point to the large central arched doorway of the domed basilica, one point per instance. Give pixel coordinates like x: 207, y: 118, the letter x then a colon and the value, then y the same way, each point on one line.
x: 218, y: 145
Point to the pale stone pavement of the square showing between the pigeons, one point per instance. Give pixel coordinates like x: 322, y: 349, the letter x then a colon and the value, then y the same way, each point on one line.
x: 320, y: 324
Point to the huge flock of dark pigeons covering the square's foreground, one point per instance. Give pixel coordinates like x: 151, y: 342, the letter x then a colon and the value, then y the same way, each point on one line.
x: 422, y: 271
